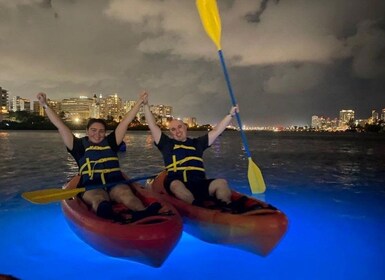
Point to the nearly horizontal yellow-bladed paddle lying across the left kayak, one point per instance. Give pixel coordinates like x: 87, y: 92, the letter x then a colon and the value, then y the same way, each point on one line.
x: 56, y: 194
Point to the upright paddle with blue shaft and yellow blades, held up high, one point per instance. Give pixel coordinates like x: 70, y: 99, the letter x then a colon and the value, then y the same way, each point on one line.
x: 209, y: 14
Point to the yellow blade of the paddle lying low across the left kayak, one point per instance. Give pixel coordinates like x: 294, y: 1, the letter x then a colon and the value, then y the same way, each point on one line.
x: 51, y: 195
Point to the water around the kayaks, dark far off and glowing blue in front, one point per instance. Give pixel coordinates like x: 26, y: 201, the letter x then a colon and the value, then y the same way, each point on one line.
x: 332, y: 188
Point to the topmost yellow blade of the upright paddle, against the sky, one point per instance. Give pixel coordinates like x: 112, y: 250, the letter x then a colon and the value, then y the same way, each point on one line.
x: 208, y: 11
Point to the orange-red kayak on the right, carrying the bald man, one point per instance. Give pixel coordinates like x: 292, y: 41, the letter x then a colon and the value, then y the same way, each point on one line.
x: 257, y: 230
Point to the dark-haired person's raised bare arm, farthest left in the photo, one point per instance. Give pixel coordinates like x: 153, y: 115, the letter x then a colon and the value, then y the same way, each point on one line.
x: 64, y: 131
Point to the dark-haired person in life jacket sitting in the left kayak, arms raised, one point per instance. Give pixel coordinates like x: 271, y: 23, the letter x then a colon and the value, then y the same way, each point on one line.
x: 96, y: 156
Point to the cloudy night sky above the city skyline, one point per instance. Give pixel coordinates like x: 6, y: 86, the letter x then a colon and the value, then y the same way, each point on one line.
x: 287, y: 59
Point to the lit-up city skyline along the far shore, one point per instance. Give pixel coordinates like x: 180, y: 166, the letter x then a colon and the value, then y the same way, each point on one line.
x: 112, y: 107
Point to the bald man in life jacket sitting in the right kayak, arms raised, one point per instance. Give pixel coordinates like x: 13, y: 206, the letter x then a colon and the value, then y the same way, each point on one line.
x: 182, y: 156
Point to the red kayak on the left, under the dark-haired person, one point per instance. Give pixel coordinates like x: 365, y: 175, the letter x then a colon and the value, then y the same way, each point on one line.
x: 148, y: 241
